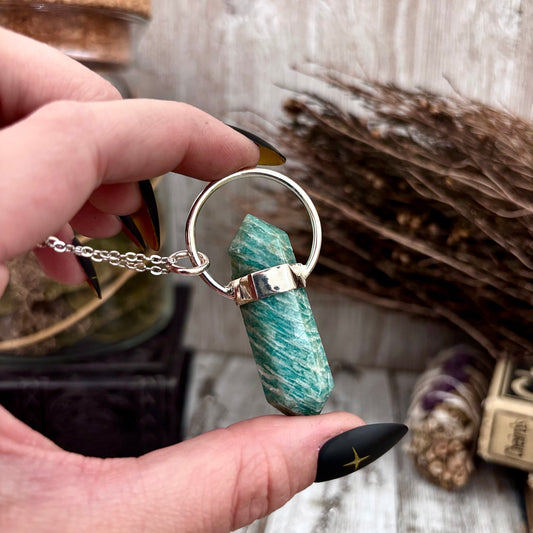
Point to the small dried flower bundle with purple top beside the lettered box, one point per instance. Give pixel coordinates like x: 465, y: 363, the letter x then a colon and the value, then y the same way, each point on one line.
x: 445, y: 415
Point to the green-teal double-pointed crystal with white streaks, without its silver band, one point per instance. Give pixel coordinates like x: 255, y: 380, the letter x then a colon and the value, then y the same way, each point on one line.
x: 285, y: 342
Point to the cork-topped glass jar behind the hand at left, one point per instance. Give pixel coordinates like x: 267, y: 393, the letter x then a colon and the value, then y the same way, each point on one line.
x: 39, y: 317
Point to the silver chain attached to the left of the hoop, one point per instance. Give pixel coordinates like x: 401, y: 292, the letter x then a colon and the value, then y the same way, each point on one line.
x: 154, y: 264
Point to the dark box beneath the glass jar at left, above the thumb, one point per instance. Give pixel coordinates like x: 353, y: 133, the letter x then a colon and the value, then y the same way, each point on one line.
x: 112, y: 405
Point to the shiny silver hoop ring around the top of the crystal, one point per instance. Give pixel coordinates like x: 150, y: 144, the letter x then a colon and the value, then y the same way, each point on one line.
x: 272, y: 175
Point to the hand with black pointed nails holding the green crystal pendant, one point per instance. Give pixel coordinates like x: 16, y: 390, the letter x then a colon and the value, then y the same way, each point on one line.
x: 70, y: 152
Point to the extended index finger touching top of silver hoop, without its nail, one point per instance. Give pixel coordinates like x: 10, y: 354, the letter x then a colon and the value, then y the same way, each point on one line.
x: 52, y: 161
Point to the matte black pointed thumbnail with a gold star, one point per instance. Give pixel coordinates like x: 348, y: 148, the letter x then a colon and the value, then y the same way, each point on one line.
x: 356, y: 448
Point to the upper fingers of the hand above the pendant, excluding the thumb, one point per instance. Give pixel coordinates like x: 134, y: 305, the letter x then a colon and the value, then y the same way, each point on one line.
x: 70, y: 150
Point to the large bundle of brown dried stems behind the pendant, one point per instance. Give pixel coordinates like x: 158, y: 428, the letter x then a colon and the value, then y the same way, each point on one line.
x: 426, y: 202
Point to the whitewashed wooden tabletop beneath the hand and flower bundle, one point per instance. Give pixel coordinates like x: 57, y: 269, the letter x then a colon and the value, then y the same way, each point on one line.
x: 388, y: 496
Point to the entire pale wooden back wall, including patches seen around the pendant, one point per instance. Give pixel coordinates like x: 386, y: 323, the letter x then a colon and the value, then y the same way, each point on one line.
x: 240, y: 61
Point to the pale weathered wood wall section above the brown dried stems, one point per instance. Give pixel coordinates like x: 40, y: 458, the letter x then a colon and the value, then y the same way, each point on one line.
x: 228, y: 55
